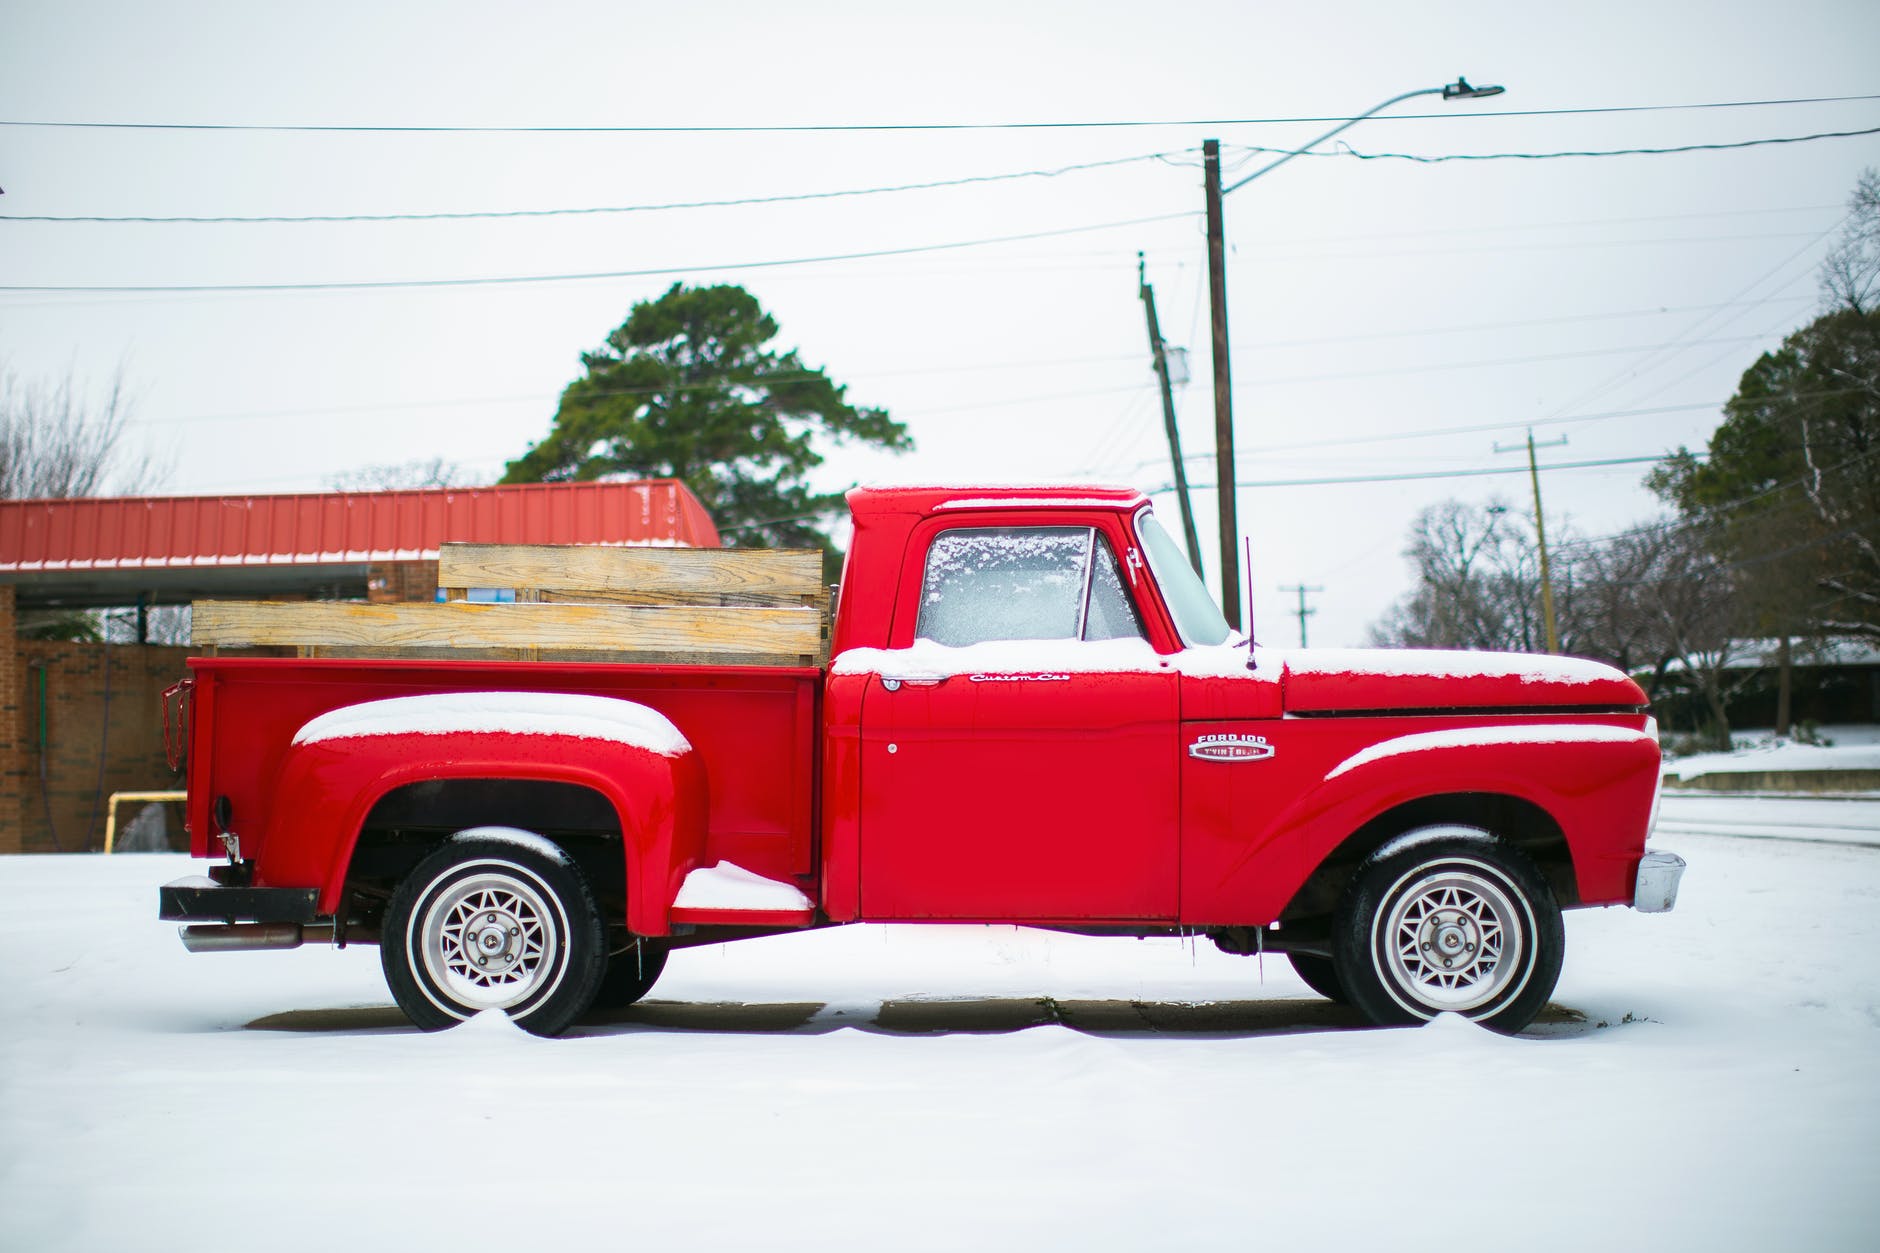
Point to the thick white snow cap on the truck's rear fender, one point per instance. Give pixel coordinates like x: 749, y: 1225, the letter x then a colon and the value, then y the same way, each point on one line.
x: 518, y: 714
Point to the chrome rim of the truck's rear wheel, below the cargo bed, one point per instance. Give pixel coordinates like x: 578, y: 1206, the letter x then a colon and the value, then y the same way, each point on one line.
x: 492, y: 940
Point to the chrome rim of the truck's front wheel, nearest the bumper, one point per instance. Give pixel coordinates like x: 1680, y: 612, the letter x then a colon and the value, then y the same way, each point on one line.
x: 1452, y: 940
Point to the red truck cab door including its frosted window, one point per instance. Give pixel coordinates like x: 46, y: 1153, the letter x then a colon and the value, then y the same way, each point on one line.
x: 1022, y: 748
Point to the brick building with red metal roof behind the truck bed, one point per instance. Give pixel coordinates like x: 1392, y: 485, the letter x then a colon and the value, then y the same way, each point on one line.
x: 80, y: 722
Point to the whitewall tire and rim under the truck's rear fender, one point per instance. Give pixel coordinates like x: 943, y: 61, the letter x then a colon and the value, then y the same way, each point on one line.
x: 495, y: 919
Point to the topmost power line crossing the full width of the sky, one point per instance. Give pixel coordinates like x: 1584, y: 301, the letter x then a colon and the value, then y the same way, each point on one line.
x: 896, y: 127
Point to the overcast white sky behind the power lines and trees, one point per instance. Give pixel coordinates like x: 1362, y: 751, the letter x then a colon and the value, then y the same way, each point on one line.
x: 1371, y: 304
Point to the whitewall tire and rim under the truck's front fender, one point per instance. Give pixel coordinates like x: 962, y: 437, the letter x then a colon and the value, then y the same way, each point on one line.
x: 1449, y: 919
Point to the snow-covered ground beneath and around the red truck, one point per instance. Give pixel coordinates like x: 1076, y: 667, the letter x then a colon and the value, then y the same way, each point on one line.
x: 1712, y: 1081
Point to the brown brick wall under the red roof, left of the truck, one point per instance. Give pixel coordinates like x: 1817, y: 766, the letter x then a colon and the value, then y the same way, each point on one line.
x: 101, y: 705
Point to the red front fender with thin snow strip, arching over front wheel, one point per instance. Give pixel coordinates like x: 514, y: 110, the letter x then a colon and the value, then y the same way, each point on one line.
x: 1595, y: 782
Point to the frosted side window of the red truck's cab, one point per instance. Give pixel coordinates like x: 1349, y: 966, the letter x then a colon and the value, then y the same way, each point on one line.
x: 1024, y: 584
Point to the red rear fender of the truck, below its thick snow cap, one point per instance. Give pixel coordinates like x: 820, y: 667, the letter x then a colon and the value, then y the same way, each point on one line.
x: 328, y: 787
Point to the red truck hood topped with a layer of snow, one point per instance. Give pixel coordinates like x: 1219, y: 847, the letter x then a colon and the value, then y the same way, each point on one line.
x: 1381, y: 680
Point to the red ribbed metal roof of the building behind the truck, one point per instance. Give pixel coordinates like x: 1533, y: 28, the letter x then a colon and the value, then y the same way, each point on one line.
x: 174, y: 533
